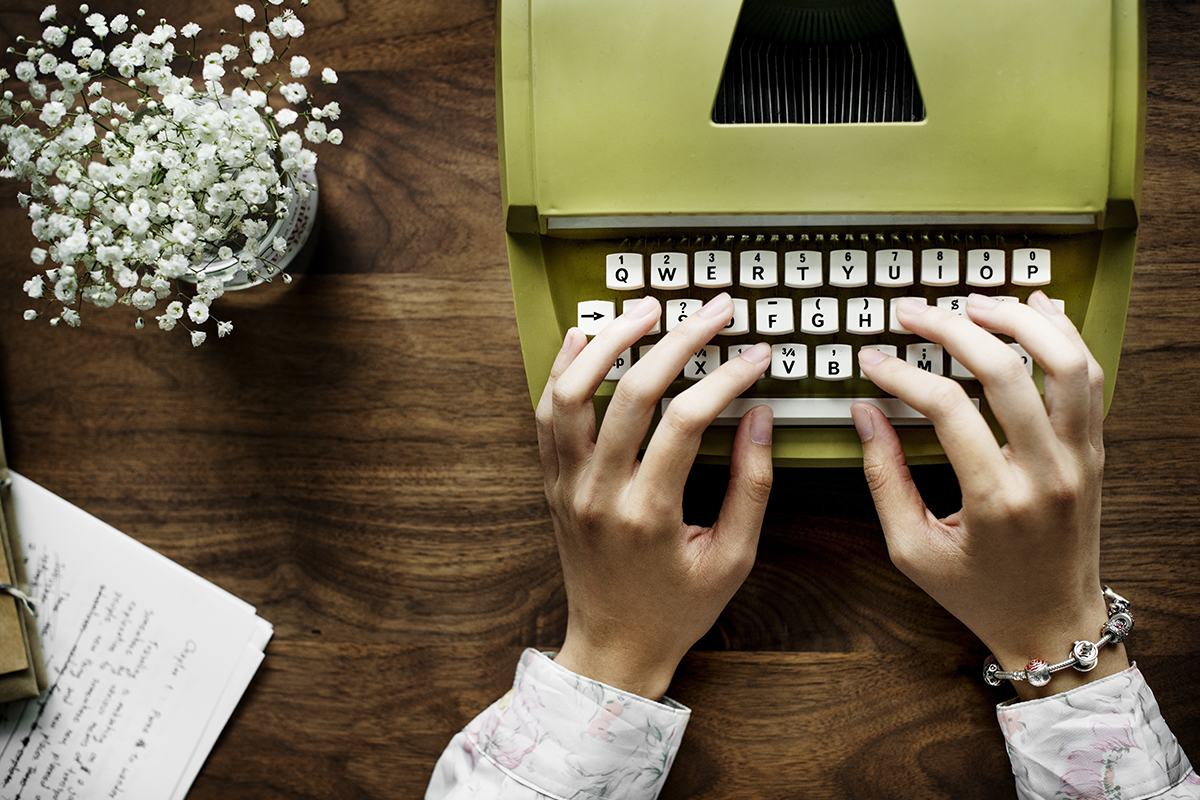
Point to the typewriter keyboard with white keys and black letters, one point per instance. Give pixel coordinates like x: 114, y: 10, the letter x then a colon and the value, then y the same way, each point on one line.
x: 818, y: 300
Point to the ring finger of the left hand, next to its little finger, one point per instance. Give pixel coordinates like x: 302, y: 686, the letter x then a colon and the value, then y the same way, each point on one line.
x: 574, y: 416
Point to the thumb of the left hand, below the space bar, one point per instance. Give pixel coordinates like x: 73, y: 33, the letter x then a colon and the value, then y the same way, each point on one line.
x: 740, y: 521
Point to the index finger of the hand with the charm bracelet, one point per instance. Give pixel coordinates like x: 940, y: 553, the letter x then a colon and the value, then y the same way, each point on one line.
x: 965, y: 437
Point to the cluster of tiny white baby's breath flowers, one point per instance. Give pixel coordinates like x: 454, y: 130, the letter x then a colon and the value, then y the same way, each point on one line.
x: 130, y: 197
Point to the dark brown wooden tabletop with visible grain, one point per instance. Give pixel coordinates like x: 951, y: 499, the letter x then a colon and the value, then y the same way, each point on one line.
x: 359, y: 462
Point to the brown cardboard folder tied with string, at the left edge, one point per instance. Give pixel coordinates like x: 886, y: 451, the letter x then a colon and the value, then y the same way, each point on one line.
x: 22, y: 669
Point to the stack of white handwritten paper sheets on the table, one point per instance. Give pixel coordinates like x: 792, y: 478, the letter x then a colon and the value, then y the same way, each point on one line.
x: 147, y: 663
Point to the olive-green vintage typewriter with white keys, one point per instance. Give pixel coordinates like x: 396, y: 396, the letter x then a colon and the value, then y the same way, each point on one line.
x: 819, y: 160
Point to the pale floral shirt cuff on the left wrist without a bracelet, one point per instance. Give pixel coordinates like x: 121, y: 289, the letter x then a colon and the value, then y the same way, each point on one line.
x: 556, y: 735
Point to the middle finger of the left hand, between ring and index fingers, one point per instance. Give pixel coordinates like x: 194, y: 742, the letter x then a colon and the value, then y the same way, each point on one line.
x: 638, y: 395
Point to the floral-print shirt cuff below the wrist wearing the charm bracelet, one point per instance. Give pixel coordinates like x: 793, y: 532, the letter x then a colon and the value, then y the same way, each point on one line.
x: 1106, y: 741
